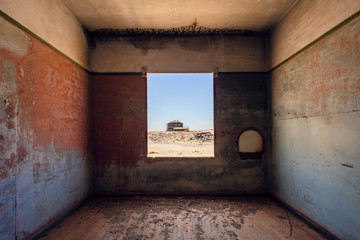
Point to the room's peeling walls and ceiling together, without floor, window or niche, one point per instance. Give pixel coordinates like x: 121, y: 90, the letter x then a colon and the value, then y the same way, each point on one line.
x: 73, y: 117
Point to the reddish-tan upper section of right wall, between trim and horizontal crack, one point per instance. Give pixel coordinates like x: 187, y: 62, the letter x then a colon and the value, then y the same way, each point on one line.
x: 324, y: 79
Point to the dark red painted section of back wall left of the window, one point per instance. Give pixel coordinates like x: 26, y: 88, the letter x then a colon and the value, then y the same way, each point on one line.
x: 119, y: 121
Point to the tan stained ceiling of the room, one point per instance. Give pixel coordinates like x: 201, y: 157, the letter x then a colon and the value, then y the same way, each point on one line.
x: 253, y: 15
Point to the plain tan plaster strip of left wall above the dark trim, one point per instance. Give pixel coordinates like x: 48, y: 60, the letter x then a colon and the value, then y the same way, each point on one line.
x: 52, y: 22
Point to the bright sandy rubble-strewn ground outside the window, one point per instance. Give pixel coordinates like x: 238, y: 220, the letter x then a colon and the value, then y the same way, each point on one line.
x: 184, y: 144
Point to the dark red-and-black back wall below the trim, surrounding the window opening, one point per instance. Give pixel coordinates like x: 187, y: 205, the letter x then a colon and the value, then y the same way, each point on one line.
x: 120, y: 129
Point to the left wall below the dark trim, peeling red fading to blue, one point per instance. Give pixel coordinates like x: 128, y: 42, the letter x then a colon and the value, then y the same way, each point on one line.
x: 44, y: 163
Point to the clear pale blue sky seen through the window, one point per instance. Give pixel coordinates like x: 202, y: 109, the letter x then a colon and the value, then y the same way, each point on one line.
x: 184, y: 97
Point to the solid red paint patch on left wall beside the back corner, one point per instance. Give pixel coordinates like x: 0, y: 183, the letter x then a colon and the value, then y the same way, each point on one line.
x: 59, y: 94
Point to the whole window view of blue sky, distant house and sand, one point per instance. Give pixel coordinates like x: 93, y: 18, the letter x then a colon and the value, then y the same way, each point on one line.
x: 180, y: 115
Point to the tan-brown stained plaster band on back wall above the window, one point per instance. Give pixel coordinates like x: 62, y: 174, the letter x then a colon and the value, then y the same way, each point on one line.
x: 170, y: 54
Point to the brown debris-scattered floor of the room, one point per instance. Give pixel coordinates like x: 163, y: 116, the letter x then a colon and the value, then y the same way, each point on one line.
x: 182, y: 218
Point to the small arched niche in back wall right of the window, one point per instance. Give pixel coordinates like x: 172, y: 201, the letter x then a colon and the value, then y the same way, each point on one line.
x: 250, y: 144
